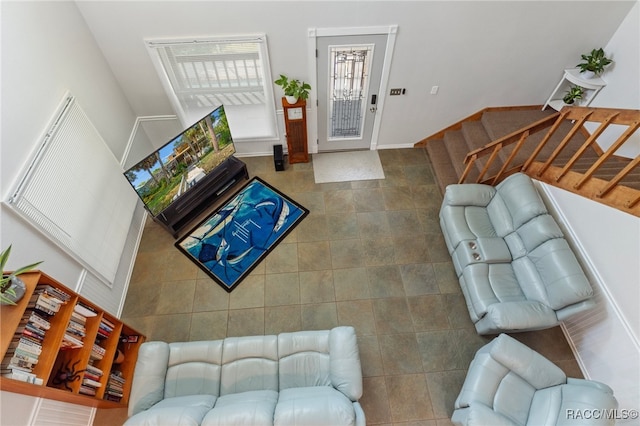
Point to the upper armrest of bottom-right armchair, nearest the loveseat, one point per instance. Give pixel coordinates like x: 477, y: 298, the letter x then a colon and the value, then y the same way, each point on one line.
x: 537, y: 370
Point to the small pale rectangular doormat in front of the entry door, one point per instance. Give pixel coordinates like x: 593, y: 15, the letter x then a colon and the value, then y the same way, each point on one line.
x: 346, y: 166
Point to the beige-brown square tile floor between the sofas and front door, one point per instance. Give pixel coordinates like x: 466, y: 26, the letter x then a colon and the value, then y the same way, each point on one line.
x: 370, y: 254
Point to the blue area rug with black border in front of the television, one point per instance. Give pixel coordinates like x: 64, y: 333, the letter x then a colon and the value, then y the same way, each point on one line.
x: 232, y: 241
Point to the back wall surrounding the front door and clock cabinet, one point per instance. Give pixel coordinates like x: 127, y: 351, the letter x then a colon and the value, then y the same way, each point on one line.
x: 479, y: 53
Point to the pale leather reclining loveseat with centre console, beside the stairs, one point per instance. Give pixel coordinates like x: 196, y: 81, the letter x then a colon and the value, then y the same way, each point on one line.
x: 515, y: 268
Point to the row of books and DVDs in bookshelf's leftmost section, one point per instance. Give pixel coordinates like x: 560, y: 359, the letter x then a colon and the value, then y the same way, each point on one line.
x: 26, y: 345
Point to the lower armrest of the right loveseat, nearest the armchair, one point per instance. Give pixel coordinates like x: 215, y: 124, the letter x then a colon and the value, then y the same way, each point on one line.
x: 516, y: 316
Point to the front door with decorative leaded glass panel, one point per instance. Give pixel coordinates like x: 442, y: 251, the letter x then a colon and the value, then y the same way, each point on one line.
x: 349, y: 70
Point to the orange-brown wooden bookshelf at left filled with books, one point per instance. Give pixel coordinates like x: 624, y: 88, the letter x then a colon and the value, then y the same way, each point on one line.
x: 103, y: 329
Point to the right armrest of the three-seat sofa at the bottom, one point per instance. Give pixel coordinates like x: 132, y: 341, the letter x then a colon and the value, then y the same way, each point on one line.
x: 345, y: 369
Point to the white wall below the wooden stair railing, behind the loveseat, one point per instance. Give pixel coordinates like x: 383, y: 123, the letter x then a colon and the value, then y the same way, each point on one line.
x: 605, y: 339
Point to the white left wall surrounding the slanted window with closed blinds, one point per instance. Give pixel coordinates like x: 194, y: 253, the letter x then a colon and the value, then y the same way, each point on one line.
x: 47, y: 49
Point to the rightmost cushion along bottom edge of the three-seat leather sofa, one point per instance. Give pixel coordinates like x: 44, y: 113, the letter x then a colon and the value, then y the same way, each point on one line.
x: 317, y: 405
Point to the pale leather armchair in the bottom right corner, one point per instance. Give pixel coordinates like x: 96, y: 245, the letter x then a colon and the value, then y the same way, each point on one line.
x: 510, y: 384
